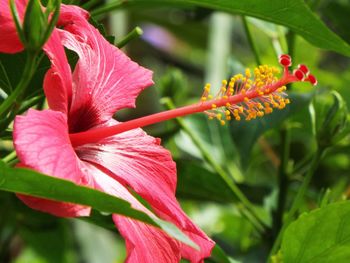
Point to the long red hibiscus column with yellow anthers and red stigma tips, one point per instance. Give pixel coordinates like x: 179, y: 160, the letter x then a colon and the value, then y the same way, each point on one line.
x: 245, y: 97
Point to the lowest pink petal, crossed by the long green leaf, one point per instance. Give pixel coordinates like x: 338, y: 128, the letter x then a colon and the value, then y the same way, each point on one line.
x: 144, y: 243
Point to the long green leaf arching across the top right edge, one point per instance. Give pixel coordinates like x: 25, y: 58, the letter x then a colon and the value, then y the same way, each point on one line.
x: 294, y: 14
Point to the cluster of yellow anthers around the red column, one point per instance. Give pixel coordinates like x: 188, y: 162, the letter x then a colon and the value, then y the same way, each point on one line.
x: 260, y: 95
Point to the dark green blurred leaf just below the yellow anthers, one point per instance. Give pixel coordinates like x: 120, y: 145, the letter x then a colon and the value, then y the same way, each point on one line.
x: 246, y: 133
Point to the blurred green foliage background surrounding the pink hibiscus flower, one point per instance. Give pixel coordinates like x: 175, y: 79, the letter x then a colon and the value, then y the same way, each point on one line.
x: 267, y: 166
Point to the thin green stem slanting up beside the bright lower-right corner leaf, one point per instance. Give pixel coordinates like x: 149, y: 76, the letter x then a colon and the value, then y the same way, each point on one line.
x: 297, y: 200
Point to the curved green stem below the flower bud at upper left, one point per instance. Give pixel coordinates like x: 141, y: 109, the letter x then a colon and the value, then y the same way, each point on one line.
x: 22, y: 85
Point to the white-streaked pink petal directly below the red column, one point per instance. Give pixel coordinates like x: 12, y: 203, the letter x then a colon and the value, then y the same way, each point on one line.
x: 137, y: 160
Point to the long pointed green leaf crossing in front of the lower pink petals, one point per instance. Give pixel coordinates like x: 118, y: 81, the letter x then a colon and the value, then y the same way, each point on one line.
x: 32, y: 183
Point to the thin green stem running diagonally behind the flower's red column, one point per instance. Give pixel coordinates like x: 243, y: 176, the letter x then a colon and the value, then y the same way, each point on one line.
x: 247, y: 209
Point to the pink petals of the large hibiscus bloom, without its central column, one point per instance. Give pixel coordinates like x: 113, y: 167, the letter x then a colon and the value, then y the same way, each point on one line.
x: 104, y: 81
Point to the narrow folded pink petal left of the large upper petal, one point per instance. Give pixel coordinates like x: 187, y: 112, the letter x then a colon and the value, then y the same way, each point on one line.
x: 58, y: 80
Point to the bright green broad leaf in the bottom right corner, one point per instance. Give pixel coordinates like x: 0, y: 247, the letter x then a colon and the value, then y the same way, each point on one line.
x: 320, y: 236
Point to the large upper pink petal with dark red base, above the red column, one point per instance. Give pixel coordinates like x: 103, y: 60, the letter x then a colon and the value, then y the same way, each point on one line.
x: 105, y: 79
